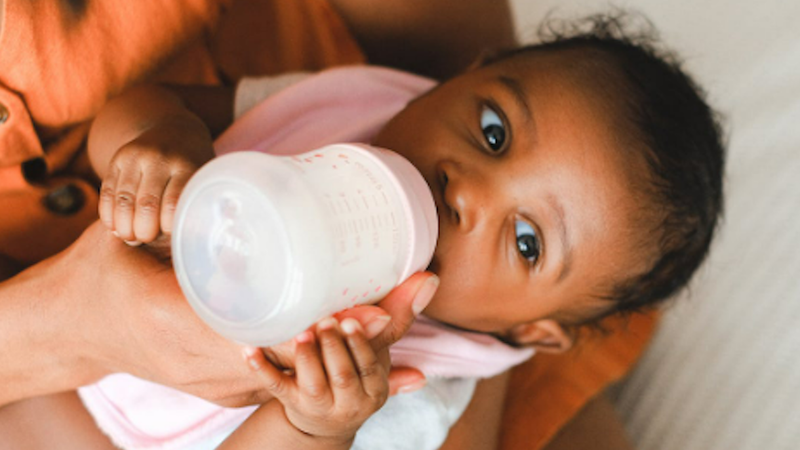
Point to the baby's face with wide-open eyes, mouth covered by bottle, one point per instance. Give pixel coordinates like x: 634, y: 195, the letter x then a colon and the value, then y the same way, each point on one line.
x: 532, y: 191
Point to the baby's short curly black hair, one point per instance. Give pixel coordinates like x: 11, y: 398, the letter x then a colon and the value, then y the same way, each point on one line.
x: 665, y: 117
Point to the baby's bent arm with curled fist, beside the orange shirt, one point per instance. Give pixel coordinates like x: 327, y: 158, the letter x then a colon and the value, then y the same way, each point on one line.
x: 145, y: 144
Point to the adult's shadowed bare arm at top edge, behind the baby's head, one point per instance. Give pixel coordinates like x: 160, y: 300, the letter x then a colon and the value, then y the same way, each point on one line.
x: 438, y: 38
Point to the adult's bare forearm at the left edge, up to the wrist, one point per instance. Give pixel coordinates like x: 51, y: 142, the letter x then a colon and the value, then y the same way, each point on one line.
x: 39, y: 334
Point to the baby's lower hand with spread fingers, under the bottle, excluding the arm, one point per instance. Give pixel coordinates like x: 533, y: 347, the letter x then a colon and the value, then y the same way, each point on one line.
x: 339, y: 381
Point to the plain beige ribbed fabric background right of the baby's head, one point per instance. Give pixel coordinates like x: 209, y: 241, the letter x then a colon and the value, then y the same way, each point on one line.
x: 724, y: 370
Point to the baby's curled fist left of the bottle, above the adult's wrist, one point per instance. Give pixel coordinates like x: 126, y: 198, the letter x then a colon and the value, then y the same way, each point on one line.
x: 140, y: 193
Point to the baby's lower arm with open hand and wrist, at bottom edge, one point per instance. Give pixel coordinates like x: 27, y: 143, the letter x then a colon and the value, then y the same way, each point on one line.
x: 339, y: 382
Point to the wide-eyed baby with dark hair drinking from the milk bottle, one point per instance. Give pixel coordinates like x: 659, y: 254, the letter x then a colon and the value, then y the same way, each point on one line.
x: 574, y: 179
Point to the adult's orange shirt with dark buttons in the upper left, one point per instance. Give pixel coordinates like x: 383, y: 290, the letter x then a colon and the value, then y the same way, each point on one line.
x: 61, y: 61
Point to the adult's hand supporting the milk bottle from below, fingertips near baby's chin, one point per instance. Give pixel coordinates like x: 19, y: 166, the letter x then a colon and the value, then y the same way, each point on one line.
x: 131, y: 316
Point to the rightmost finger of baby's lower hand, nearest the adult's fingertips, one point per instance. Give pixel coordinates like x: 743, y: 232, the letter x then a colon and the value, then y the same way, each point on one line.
x: 372, y: 373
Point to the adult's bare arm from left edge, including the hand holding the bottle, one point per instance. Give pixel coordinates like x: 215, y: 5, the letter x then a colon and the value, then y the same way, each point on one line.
x: 102, y: 307
